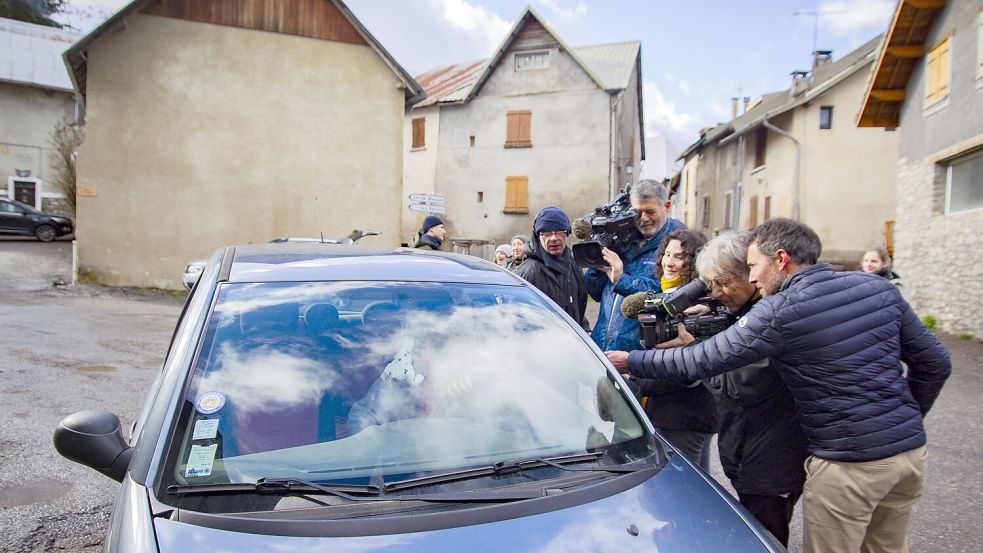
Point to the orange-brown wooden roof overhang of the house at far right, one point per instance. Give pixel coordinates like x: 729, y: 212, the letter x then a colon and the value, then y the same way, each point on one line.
x: 899, y: 55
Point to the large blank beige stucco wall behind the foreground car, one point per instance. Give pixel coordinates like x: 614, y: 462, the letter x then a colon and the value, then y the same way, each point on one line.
x: 202, y: 135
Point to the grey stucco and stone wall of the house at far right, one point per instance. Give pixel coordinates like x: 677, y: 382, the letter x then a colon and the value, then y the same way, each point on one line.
x: 937, y: 254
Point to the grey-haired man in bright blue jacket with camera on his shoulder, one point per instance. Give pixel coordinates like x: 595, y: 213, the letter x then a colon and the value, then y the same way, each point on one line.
x: 635, y: 273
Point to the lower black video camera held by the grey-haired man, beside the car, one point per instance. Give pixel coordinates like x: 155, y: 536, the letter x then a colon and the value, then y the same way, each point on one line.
x: 659, y: 320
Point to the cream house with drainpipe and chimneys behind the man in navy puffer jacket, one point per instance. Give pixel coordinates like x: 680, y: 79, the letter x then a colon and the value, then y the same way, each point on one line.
x: 794, y: 153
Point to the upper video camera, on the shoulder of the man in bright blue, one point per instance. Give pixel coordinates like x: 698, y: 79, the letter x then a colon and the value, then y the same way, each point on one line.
x: 611, y: 226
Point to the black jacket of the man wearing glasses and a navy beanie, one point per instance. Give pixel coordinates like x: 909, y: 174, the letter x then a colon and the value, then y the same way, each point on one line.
x: 566, y: 288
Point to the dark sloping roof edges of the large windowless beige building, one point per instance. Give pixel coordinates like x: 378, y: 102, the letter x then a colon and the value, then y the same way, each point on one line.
x: 75, y: 57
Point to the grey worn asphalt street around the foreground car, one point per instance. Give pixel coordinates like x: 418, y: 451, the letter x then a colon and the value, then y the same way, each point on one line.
x: 69, y: 348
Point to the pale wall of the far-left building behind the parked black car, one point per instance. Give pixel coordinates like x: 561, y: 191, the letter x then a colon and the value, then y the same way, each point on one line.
x: 28, y: 117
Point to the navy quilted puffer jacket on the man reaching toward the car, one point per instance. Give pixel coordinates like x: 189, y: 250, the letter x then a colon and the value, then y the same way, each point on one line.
x: 838, y: 340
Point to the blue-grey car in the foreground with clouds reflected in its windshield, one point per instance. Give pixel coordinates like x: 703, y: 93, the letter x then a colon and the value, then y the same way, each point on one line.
x: 322, y: 397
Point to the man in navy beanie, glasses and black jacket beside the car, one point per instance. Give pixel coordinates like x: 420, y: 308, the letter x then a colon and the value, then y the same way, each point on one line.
x: 549, y: 264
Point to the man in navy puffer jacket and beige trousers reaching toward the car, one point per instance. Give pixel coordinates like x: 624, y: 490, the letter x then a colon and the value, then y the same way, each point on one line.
x: 838, y: 340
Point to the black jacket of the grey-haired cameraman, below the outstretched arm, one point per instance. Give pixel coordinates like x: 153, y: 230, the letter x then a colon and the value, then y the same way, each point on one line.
x: 760, y: 440
